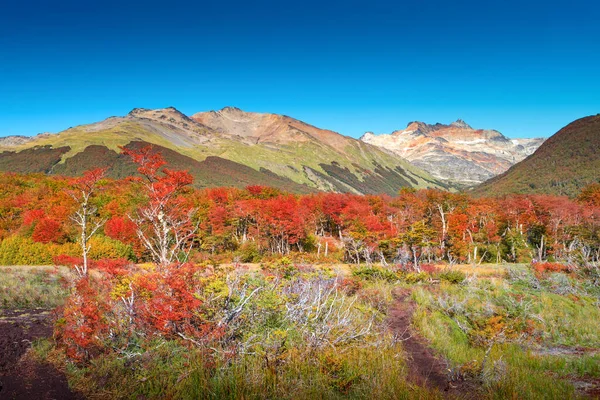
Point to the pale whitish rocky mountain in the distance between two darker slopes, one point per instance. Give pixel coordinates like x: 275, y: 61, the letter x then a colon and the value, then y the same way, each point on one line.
x: 455, y: 152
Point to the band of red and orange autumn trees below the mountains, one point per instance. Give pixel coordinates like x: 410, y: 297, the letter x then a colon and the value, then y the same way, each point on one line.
x: 261, y: 223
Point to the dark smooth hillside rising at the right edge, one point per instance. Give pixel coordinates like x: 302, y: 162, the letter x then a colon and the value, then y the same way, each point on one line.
x: 563, y: 165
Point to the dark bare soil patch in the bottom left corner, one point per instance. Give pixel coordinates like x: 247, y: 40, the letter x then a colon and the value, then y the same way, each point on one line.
x: 20, y: 376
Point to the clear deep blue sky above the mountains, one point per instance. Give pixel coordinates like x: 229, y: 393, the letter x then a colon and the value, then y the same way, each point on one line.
x: 526, y: 68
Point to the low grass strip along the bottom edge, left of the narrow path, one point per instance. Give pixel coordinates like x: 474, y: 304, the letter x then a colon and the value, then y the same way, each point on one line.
x: 170, y: 370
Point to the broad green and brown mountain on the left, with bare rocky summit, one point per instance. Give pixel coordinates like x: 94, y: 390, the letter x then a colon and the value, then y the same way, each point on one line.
x: 228, y: 147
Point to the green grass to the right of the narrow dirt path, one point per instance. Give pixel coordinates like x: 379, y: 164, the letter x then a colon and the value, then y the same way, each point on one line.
x: 531, y: 352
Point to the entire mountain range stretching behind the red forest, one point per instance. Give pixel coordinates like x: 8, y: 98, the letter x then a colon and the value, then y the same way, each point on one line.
x: 231, y: 147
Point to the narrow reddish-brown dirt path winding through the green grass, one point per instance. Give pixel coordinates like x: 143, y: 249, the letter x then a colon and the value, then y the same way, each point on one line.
x: 425, y: 368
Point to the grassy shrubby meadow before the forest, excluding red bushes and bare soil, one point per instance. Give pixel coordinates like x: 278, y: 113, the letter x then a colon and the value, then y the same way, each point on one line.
x: 317, y: 332
